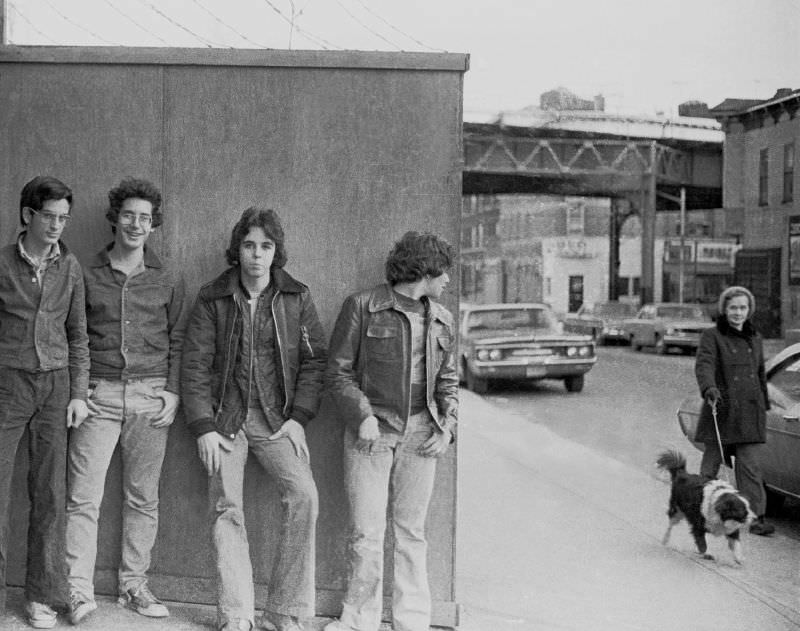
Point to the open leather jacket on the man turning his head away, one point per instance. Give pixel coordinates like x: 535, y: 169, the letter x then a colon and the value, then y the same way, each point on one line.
x: 369, y: 362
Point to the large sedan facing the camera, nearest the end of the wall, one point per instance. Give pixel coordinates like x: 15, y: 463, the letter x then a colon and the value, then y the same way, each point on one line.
x: 520, y: 341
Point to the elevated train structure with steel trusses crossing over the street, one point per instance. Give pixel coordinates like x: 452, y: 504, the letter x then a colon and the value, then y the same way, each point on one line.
x: 643, y: 164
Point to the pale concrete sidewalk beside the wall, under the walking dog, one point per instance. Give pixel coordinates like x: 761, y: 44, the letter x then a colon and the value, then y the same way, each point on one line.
x: 554, y: 536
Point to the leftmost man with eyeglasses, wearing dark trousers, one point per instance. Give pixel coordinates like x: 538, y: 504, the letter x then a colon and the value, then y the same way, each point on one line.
x: 44, y: 372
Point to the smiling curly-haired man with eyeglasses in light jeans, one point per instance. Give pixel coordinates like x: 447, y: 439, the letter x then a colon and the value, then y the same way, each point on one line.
x: 135, y: 311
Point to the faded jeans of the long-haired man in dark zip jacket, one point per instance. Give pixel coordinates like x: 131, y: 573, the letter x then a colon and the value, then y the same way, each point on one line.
x: 291, y: 585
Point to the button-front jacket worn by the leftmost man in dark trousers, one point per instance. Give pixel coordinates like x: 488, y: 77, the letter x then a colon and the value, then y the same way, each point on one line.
x: 43, y: 327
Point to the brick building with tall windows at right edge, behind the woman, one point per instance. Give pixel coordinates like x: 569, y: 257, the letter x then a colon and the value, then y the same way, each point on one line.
x: 760, y: 192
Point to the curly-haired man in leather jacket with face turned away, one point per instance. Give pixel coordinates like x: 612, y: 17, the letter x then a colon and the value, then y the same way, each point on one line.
x: 392, y: 374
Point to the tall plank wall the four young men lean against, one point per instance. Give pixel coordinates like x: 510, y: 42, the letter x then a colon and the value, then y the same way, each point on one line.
x: 350, y: 155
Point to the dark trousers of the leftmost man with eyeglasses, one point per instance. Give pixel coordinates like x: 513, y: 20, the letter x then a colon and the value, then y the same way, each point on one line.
x: 38, y: 402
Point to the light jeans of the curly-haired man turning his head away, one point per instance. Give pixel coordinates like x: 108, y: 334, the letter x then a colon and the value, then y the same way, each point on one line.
x: 391, y: 462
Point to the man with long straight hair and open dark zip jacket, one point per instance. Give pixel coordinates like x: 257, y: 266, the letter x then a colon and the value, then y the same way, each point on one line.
x: 252, y: 371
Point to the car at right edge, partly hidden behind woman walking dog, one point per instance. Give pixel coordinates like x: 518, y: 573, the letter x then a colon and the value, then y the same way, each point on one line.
x: 778, y: 460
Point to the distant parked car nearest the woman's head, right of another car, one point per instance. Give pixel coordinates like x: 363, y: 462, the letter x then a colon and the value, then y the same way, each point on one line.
x: 665, y: 325
